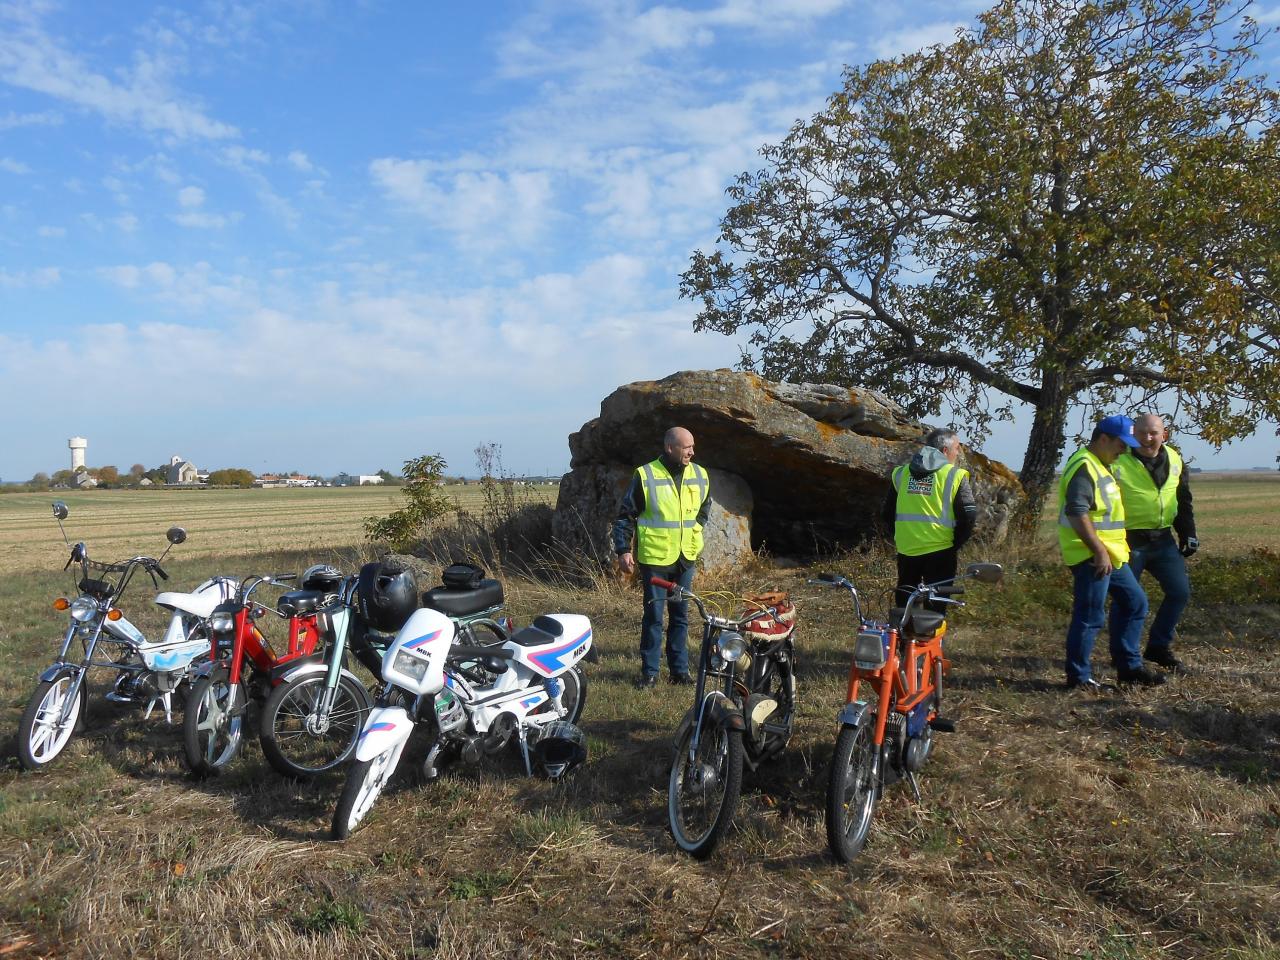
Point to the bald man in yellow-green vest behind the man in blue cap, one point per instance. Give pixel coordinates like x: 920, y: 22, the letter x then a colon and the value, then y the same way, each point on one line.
x: 1158, y: 505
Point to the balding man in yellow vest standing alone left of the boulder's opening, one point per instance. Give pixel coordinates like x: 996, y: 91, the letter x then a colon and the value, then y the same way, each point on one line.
x: 665, y: 509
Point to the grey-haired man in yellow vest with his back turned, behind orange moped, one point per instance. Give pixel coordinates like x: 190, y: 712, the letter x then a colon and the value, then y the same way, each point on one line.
x: 932, y: 513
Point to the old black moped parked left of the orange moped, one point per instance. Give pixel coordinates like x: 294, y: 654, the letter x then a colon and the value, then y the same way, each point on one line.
x: 743, y: 714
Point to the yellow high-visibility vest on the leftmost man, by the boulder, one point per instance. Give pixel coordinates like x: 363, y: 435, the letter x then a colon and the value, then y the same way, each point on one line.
x: 669, y: 527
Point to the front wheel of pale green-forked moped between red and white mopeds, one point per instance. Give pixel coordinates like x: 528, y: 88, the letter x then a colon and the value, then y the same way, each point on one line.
x: 294, y: 744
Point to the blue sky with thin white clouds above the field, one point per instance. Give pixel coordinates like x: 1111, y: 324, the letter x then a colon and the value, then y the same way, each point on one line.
x: 335, y: 236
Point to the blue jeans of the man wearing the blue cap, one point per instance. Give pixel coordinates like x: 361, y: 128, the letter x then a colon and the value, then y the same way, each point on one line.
x: 1128, y: 612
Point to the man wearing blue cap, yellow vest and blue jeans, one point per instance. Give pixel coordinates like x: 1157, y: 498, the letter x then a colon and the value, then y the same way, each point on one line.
x: 1091, y: 533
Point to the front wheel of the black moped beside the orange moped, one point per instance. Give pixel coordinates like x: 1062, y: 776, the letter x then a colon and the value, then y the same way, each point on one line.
x: 701, y: 812
